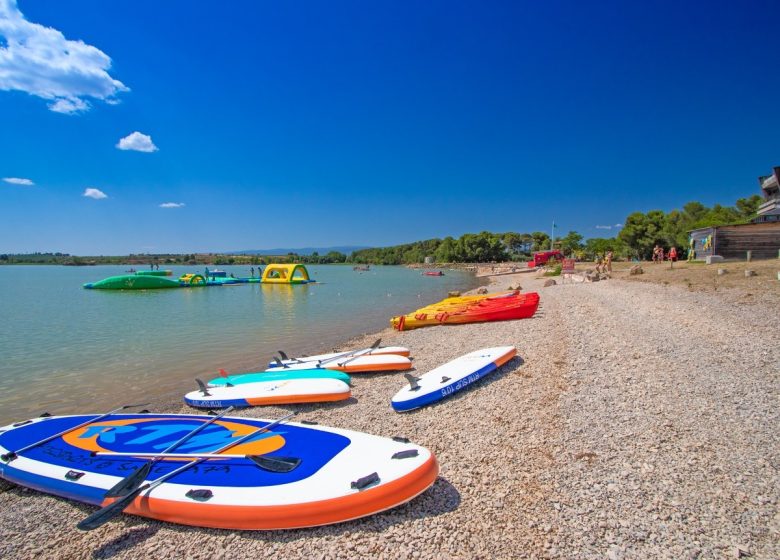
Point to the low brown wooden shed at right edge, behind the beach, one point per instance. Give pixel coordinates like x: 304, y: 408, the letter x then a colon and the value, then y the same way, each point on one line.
x: 733, y: 242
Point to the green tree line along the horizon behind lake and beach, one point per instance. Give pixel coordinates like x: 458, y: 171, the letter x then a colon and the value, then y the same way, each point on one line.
x: 639, y: 234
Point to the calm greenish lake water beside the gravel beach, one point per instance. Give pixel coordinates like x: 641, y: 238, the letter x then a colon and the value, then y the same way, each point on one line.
x: 64, y: 349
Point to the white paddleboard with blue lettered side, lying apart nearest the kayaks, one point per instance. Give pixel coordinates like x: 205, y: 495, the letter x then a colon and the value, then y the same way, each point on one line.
x: 450, y: 378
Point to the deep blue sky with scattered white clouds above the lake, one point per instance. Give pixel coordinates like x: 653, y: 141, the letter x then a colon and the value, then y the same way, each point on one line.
x: 291, y: 124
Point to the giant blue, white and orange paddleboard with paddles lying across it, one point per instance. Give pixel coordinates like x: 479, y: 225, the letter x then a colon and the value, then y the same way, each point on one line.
x: 335, y: 475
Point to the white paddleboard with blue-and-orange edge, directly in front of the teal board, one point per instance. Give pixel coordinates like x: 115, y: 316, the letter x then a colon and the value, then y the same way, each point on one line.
x: 285, y: 391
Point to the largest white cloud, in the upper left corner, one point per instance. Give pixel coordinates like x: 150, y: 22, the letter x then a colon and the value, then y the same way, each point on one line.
x: 40, y: 61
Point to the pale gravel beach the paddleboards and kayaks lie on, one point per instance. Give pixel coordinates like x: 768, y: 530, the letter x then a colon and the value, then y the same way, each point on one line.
x: 639, y: 421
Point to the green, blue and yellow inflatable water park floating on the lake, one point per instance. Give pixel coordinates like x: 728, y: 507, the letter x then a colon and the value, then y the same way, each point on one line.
x: 162, y: 279
